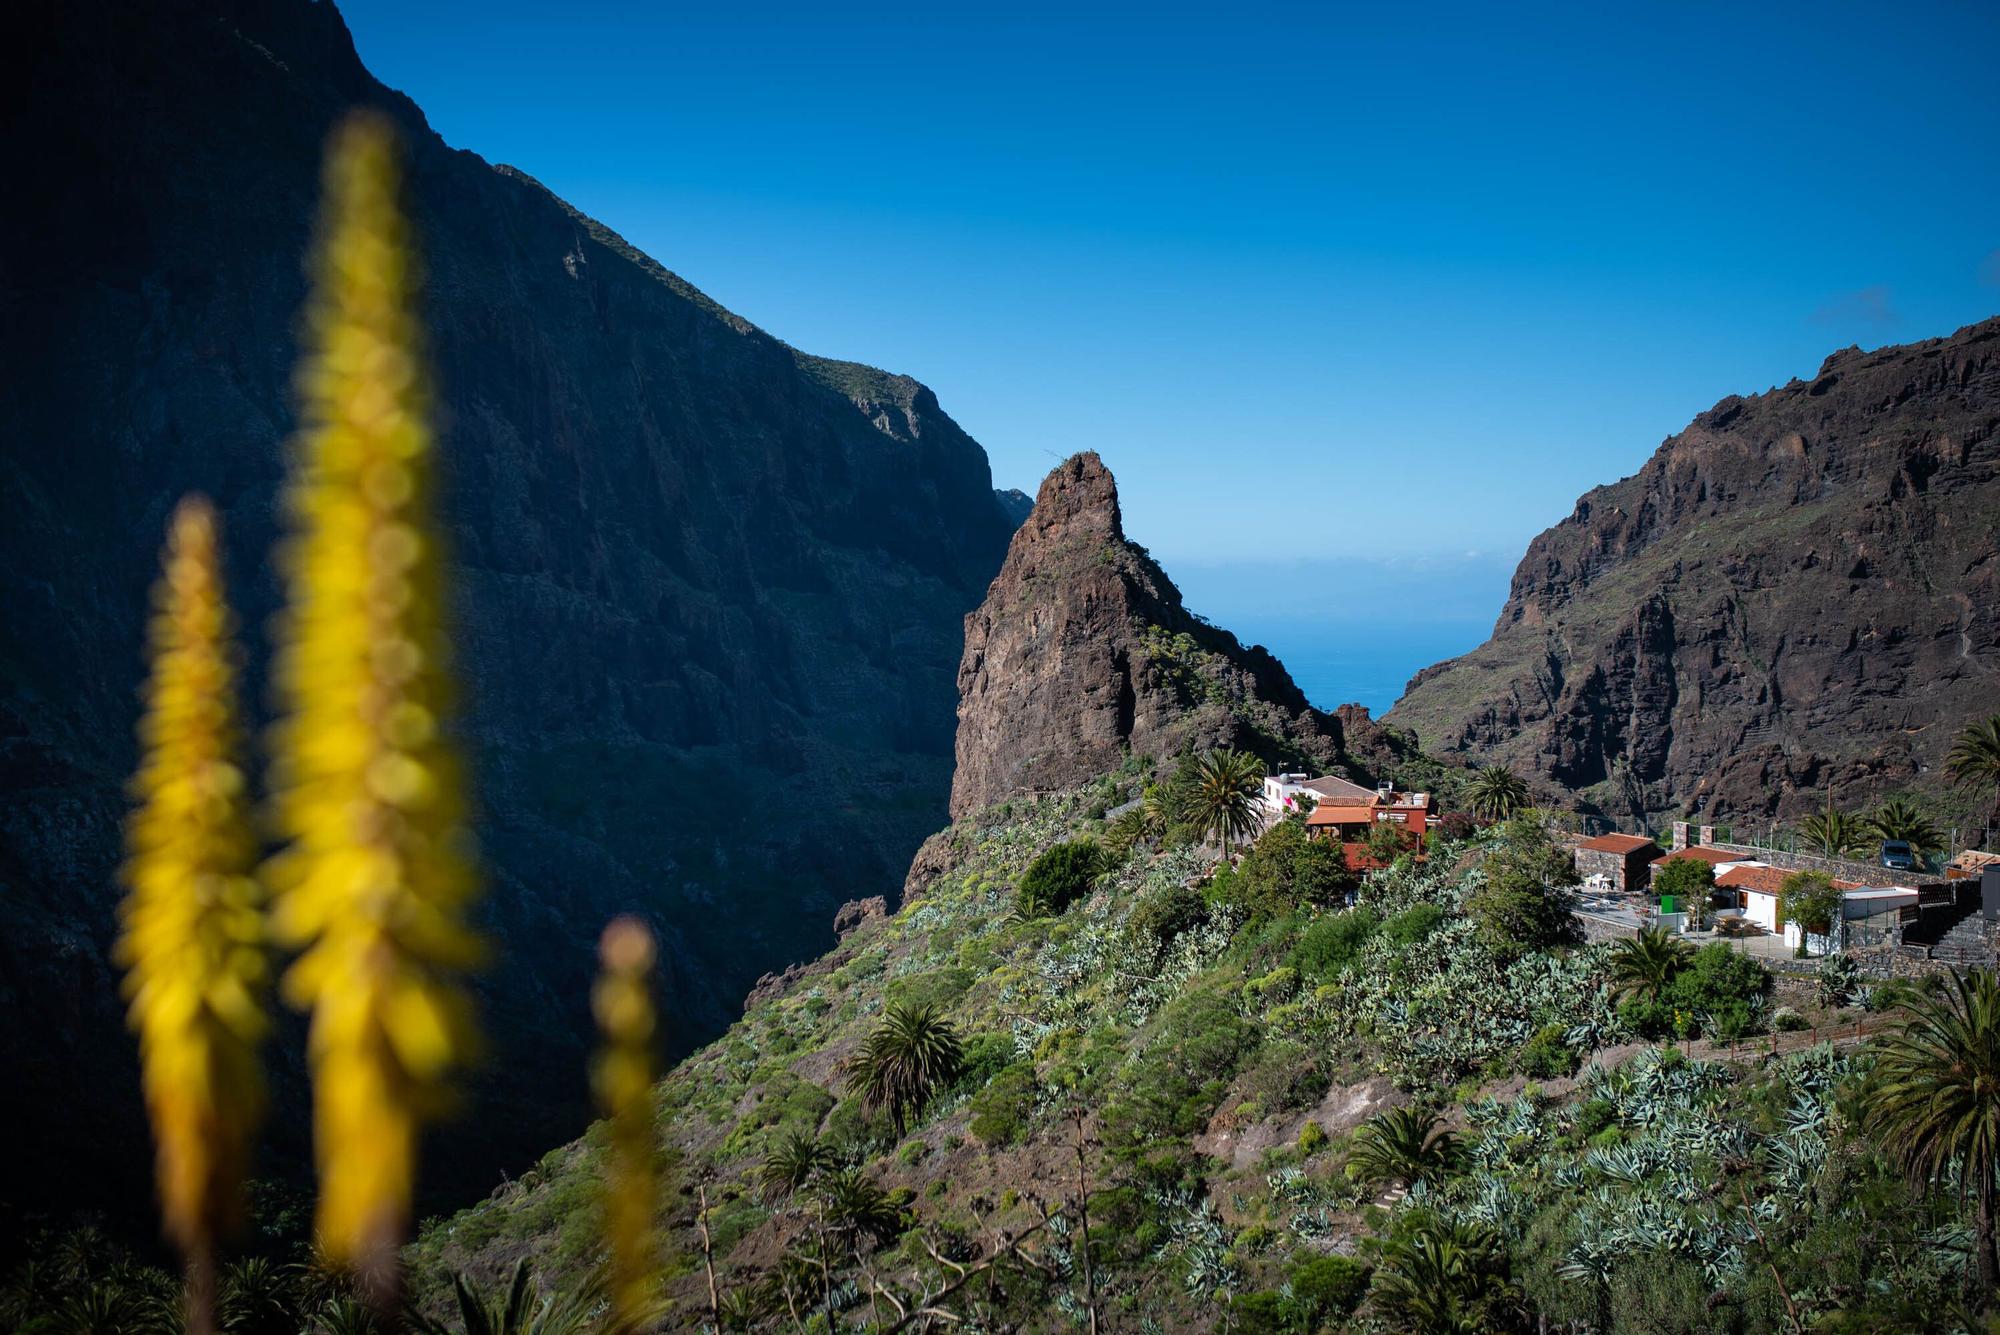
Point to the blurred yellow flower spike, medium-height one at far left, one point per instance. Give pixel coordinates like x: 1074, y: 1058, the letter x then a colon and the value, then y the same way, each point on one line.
x: 193, y: 940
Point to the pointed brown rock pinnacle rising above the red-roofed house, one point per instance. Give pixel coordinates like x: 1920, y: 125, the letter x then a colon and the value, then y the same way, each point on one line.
x: 1083, y: 655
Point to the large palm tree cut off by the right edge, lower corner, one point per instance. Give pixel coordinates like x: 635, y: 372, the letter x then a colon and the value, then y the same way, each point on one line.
x: 1933, y: 1098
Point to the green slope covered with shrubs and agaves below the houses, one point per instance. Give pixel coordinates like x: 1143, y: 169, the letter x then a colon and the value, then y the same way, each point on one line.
x: 1217, y: 1048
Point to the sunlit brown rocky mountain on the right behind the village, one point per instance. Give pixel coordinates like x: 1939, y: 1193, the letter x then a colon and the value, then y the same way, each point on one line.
x: 1797, y: 597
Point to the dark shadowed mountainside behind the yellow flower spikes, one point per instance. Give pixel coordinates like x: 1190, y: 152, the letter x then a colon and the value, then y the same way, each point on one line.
x: 711, y: 591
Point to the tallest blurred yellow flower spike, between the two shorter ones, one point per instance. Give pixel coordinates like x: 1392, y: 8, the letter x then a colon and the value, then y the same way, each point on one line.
x: 377, y: 878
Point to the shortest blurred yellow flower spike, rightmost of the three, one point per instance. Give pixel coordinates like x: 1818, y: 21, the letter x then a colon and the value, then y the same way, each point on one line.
x: 623, y: 1078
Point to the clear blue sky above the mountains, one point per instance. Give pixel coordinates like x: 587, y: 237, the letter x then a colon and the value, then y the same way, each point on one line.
x: 1319, y: 285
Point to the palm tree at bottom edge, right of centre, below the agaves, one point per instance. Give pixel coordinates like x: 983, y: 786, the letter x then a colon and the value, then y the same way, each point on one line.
x: 1445, y: 1280
